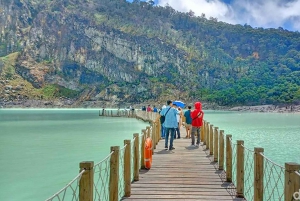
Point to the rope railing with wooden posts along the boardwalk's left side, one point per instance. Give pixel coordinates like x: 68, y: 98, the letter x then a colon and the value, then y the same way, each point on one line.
x: 105, y: 181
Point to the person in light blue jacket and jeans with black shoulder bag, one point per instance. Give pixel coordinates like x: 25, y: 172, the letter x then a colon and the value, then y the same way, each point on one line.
x: 170, y: 123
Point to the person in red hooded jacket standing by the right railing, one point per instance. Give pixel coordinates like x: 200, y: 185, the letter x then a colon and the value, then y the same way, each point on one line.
x: 197, y: 122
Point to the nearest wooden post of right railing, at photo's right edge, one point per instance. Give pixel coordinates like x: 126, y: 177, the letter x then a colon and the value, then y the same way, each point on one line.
x: 291, y: 182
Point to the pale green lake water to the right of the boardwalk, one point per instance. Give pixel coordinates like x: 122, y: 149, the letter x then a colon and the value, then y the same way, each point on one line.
x: 277, y: 133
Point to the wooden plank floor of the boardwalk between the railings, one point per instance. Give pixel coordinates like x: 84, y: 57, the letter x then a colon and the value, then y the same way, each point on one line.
x: 185, y: 173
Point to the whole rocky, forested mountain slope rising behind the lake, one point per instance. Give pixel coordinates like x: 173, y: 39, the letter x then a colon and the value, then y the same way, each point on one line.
x: 122, y: 52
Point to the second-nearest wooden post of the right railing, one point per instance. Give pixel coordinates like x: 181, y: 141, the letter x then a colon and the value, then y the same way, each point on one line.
x: 258, y: 174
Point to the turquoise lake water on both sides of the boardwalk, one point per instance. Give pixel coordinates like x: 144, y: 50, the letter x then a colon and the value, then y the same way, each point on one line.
x: 40, y: 150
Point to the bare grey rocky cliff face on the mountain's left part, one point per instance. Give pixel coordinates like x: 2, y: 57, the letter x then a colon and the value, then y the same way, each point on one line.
x: 62, y: 43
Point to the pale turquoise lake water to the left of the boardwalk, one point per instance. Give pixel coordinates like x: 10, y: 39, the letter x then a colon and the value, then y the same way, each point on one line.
x: 40, y: 150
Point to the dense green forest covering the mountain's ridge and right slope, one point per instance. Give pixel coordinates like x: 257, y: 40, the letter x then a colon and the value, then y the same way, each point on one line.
x: 226, y: 64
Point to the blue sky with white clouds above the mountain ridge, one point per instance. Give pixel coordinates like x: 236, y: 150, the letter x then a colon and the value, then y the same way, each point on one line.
x: 256, y: 13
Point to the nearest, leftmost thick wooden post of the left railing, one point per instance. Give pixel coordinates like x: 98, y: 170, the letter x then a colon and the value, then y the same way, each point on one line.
x: 86, y: 183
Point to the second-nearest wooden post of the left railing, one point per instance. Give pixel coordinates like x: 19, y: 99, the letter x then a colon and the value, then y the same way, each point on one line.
x: 114, y: 174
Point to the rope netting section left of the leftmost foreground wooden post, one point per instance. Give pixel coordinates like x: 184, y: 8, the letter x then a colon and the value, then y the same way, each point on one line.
x: 69, y: 192
